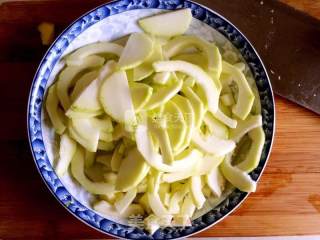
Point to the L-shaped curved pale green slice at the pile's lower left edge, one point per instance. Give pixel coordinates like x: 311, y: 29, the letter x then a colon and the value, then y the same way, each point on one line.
x: 77, y: 170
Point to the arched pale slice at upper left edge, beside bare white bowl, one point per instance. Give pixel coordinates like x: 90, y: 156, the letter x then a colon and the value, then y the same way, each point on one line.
x: 77, y: 58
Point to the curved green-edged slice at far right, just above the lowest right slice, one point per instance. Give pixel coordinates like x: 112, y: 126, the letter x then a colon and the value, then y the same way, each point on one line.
x: 252, y: 158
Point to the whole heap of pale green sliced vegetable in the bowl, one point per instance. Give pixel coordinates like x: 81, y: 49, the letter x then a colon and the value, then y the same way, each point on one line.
x: 156, y: 123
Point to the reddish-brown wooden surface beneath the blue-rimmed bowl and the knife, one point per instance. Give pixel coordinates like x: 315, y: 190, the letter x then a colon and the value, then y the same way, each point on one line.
x: 287, y: 201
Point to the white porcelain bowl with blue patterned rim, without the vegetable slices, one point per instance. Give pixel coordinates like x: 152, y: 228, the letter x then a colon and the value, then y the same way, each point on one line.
x: 99, y: 26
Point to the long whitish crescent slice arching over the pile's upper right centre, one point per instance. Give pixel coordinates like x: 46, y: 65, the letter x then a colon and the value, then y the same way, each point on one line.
x: 201, y: 77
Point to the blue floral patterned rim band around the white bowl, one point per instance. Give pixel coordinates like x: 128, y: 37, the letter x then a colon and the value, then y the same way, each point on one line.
x: 38, y: 90
